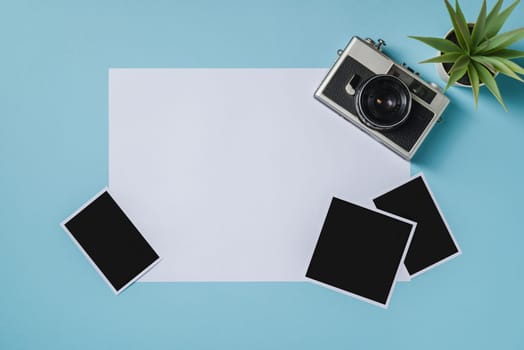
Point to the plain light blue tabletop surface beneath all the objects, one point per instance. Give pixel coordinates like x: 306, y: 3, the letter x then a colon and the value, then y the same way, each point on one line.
x: 53, y: 153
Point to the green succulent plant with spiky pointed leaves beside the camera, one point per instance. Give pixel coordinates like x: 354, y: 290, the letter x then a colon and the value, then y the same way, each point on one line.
x: 479, y: 51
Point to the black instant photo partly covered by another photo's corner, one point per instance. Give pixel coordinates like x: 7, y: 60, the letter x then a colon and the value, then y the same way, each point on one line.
x: 433, y: 243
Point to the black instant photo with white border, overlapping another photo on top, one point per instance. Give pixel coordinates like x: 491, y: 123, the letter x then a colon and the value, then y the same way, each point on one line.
x: 359, y: 251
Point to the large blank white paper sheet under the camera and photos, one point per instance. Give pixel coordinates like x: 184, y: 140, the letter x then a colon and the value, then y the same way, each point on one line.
x: 229, y: 172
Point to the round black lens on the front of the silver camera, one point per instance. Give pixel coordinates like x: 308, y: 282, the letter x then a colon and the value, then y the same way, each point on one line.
x: 383, y: 102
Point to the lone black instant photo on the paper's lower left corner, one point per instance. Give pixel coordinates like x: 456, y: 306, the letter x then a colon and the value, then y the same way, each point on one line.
x: 110, y: 241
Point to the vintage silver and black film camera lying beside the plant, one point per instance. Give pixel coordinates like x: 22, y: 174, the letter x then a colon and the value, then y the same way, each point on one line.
x: 388, y: 101
